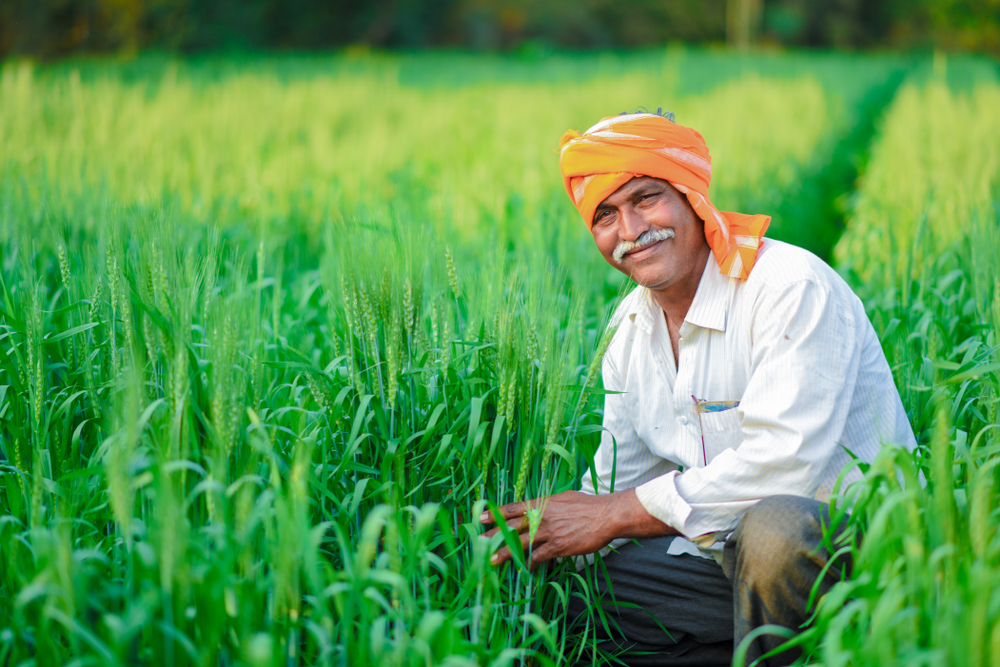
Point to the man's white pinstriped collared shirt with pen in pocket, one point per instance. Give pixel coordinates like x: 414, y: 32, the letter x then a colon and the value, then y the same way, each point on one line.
x: 793, y: 345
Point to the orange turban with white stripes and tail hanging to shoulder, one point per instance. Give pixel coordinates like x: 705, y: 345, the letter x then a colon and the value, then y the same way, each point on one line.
x: 611, y: 153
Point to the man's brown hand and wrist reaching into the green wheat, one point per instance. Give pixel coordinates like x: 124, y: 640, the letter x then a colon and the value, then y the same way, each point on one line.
x: 574, y: 524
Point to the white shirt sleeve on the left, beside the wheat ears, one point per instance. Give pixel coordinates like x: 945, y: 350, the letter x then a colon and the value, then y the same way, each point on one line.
x: 623, y: 460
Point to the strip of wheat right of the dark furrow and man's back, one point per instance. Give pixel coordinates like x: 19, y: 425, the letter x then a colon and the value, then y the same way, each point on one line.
x: 922, y: 248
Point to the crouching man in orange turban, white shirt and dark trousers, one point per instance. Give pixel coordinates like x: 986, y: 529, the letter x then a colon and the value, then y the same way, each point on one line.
x: 746, y: 370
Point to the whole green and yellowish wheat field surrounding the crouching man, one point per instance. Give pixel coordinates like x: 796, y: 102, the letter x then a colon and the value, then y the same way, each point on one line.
x: 275, y: 330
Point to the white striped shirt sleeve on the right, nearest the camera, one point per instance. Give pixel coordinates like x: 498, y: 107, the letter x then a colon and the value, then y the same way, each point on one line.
x: 804, y: 366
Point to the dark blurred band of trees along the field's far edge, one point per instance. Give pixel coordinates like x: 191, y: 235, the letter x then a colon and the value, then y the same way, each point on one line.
x: 57, y: 28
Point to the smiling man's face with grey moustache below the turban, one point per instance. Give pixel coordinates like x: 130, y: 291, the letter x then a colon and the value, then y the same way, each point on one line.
x: 647, y: 230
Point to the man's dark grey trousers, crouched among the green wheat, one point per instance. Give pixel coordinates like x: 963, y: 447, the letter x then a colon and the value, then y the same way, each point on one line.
x: 683, y: 610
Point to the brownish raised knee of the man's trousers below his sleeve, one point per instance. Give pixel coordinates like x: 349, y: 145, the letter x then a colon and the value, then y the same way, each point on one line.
x: 775, y: 537
